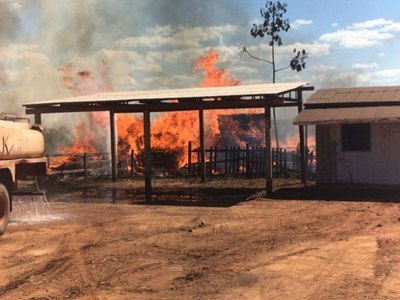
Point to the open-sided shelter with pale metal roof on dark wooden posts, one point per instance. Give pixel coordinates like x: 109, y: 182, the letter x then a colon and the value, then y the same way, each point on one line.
x: 200, y: 99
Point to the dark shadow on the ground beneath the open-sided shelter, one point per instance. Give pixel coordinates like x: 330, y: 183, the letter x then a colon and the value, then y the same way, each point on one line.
x: 219, y: 192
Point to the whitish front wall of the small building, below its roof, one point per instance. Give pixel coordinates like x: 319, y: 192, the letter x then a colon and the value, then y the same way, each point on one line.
x: 381, y: 165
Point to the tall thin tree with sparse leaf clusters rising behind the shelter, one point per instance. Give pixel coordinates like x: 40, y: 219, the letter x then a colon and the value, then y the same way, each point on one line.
x: 274, y: 23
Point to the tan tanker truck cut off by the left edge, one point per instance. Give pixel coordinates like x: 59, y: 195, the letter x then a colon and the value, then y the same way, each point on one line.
x: 22, y: 149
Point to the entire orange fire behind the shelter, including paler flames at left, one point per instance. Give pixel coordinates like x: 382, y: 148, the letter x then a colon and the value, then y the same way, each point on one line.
x: 170, y: 131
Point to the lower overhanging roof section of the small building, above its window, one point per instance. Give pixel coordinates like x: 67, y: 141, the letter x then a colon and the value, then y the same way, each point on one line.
x: 348, y: 115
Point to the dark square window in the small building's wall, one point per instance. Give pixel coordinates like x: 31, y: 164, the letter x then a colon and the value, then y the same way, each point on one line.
x: 356, y: 137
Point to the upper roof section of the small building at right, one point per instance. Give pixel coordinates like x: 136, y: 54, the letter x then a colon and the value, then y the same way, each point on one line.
x: 359, y: 95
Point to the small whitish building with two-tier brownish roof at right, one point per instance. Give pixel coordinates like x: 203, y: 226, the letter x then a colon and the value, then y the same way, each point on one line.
x: 357, y: 134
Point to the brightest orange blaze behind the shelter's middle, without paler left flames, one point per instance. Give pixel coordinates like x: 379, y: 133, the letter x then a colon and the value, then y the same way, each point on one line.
x: 174, y: 130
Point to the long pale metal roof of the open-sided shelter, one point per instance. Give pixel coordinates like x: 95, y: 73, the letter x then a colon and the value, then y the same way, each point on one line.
x: 172, y: 94
